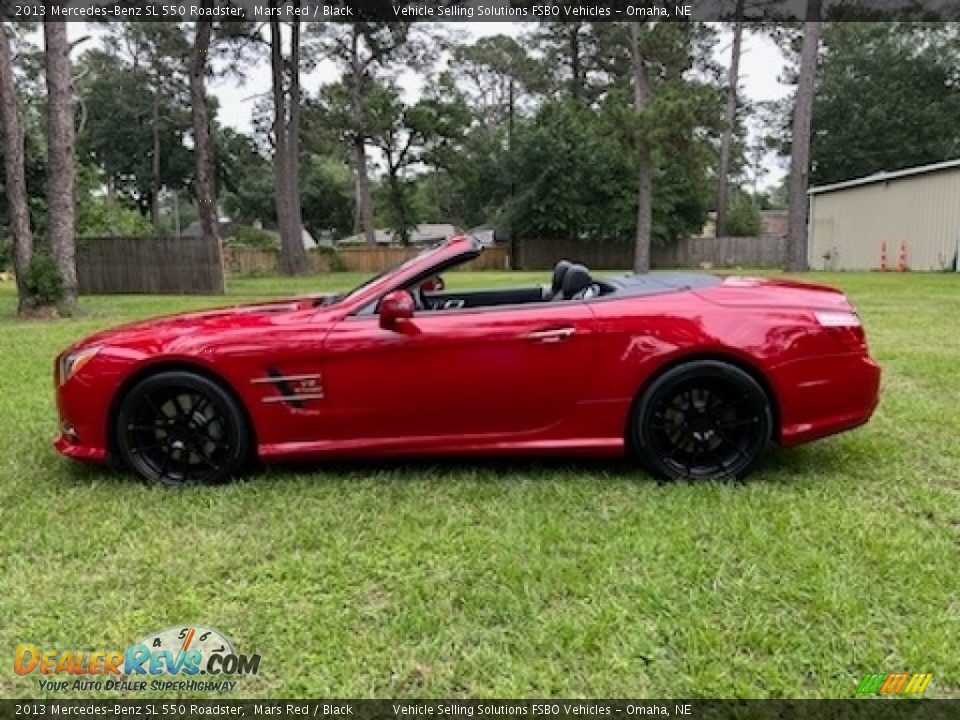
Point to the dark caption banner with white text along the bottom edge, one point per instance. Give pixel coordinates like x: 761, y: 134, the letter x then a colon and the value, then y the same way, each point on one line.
x: 483, y: 709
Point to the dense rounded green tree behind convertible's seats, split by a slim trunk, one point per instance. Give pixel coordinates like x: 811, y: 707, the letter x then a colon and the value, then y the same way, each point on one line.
x: 575, y: 175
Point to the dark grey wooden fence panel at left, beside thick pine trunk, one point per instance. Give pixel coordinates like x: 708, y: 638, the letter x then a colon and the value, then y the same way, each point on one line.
x: 162, y: 265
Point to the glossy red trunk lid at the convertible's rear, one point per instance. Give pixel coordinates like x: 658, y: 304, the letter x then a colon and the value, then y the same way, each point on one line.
x: 774, y: 293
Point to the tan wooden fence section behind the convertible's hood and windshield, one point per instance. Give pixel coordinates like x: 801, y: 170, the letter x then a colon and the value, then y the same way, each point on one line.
x: 253, y: 261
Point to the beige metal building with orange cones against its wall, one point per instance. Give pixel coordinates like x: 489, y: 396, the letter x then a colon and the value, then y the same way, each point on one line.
x: 916, y: 211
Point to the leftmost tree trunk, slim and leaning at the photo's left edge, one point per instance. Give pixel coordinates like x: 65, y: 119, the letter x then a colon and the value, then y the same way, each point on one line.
x: 15, y: 176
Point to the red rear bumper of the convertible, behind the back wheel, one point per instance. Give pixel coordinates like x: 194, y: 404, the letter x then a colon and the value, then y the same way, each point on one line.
x: 825, y: 395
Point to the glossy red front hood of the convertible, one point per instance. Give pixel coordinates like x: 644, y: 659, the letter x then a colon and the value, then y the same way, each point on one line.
x: 169, y: 330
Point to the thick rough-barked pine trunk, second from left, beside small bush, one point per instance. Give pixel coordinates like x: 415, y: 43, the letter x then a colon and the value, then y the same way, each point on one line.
x: 60, y: 133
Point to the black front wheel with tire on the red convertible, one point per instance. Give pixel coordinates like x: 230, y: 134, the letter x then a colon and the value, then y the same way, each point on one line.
x: 180, y: 428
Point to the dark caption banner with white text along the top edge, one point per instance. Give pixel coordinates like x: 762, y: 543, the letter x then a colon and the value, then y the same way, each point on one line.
x: 476, y: 10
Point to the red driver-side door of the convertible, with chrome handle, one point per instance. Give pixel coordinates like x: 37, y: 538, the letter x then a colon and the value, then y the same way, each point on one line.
x: 506, y: 370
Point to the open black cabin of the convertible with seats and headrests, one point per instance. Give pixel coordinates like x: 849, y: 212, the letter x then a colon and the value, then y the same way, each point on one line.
x: 570, y: 281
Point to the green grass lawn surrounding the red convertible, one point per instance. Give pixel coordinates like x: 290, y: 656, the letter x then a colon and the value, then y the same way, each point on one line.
x: 512, y: 578
